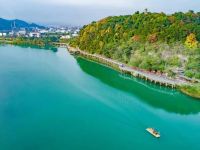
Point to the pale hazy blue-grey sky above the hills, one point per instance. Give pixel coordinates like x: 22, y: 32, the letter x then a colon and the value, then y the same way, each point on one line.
x: 79, y: 12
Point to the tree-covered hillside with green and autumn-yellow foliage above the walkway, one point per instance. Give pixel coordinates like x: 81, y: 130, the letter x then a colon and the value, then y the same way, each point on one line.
x: 150, y: 41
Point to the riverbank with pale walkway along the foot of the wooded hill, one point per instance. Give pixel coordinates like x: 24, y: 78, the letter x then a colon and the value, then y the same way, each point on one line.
x: 162, y: 80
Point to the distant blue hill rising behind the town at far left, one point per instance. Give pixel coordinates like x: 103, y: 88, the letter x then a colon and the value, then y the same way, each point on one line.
x: 8, y: 25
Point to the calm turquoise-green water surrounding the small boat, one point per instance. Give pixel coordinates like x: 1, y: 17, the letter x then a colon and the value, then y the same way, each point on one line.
x: 50, y: 100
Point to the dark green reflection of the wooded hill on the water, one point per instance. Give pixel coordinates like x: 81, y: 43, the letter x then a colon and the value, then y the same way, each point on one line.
x: 154, y: 95
